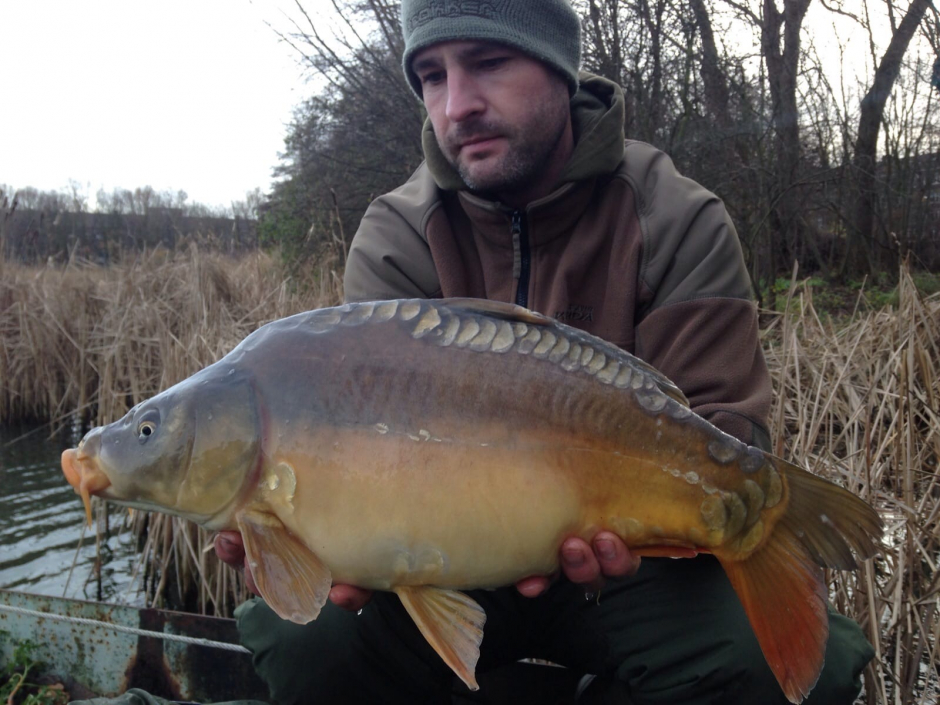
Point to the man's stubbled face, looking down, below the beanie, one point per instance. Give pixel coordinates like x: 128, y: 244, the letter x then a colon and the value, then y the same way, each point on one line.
x: 499, y: 116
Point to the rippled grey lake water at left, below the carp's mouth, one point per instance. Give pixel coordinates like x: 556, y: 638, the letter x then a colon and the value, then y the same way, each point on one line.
x: 42, y: 520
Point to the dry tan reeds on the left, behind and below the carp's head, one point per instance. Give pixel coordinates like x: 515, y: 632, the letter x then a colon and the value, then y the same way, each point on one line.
x: 84, y: 343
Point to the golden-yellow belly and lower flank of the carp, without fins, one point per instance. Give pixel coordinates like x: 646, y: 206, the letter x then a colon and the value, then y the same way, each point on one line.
x: 383, y: 509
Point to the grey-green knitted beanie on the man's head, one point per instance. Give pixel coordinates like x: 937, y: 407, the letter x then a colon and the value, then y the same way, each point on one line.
x: 548, y: 30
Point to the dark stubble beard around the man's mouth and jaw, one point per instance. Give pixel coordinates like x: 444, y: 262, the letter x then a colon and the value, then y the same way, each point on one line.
x: 531, y: 147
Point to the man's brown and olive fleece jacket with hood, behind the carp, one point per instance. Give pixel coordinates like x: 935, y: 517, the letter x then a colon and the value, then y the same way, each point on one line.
x: 626, y: 249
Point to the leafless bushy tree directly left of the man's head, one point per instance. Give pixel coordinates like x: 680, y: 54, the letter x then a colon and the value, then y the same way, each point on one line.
x: 360, y: 137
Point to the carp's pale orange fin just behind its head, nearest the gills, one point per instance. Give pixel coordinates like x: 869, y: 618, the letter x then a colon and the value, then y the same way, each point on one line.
x: 292, y: 580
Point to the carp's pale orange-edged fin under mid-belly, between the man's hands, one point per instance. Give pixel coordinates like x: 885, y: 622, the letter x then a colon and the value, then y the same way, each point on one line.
x: 452, y: 623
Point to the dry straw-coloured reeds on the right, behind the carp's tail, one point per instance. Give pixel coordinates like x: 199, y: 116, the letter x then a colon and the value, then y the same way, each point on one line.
x: 857, y: 403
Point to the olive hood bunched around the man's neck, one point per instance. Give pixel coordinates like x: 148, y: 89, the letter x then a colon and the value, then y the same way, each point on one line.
x: 597, y: 115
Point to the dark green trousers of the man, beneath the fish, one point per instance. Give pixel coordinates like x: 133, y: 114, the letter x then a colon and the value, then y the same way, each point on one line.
x: 674, y: 633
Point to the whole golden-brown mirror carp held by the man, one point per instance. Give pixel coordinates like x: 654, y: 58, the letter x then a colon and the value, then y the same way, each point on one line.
x: 427, y: 447
